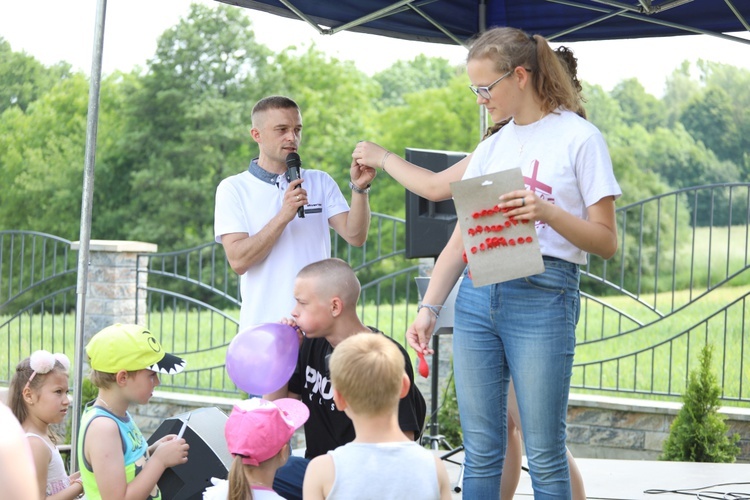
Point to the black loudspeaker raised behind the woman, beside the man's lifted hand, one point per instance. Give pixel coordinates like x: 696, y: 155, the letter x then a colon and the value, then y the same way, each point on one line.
x: 429, y: 224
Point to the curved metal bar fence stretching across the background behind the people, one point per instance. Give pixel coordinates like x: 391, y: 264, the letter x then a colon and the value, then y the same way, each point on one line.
x: 679, y: 281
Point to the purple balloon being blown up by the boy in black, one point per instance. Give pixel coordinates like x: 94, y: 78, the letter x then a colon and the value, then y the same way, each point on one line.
x: 261, y: 359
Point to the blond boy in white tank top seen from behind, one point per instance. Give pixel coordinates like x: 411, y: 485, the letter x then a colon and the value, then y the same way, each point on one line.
x: 367, y: 373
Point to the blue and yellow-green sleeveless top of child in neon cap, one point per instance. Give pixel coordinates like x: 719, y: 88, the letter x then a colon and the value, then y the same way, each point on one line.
x: 134, y: 449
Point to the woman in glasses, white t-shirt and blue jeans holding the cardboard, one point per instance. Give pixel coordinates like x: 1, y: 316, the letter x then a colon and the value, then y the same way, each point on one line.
x: 524, y: 328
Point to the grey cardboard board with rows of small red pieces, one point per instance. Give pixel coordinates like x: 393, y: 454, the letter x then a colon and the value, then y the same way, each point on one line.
x: 498, y: 248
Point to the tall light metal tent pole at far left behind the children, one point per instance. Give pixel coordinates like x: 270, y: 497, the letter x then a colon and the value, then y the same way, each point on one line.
x: 92, y: 122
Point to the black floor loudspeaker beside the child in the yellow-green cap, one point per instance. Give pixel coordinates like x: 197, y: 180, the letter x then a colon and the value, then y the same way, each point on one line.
x: 208, y: 456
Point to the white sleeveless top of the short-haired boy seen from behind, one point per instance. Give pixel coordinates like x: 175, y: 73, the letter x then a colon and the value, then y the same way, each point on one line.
x: 384, y: 470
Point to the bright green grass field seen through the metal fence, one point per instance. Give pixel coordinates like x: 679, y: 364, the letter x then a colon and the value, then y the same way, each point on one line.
x: 202, y: 341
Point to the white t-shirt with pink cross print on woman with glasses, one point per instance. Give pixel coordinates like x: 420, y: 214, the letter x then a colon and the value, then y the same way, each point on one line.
x: 563, y: 159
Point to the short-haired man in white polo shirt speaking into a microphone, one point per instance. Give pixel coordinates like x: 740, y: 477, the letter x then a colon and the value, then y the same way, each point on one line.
x: 272, y: 224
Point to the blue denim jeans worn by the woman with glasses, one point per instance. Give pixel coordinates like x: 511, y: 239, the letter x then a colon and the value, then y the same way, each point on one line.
x: 524, y: 328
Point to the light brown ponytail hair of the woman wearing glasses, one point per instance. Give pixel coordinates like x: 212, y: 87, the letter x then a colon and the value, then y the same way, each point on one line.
x: 509, y: 48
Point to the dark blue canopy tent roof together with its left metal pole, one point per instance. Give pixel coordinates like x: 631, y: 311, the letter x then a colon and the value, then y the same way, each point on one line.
x: 440, y: 21
